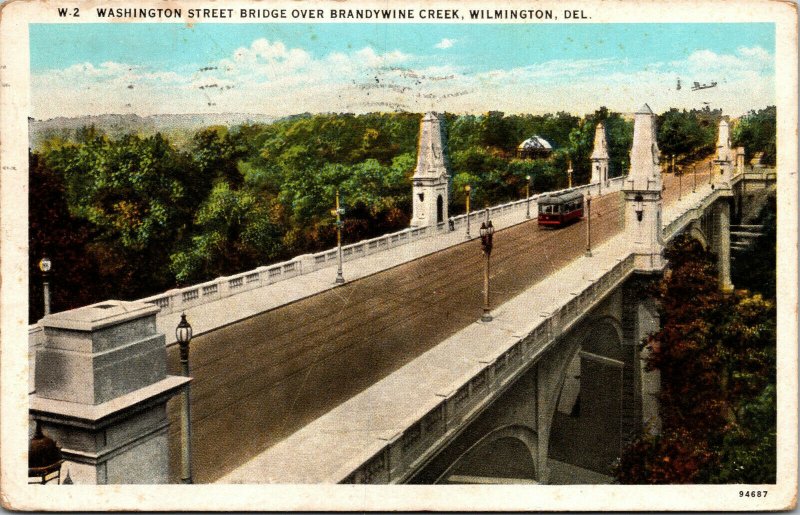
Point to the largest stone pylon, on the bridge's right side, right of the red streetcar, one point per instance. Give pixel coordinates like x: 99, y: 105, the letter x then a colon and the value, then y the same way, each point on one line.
x: 643, y: 195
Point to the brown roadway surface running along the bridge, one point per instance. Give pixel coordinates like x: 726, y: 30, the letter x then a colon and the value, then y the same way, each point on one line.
x: 260, y: 380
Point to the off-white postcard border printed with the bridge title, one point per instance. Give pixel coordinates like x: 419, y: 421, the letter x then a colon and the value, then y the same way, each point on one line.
x: 16, y: 494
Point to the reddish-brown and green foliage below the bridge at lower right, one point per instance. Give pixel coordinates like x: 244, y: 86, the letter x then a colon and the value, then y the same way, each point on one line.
x: 716, y: 358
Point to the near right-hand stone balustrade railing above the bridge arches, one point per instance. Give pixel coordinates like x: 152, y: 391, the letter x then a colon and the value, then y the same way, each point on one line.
x: 395, y: 460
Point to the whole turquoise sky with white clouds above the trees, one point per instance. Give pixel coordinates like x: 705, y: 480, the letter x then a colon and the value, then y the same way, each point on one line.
x: 283, y: 69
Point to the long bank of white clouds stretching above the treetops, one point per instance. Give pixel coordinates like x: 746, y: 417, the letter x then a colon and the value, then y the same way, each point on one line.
x: 269, y: 77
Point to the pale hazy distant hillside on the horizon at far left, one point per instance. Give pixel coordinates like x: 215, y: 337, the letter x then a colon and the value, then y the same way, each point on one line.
x: 115, y: 125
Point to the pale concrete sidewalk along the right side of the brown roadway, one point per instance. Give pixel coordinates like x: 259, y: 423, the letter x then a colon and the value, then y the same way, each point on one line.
x: 366, y: 428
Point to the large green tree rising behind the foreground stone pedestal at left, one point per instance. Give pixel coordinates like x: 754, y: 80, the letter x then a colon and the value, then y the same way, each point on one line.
x: 135, y: 195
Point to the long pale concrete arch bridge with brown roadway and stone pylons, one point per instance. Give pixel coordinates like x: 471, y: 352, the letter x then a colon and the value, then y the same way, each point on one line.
x: 391, y: 378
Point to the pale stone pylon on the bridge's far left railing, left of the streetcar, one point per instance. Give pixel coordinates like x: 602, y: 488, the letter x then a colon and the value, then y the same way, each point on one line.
x: 431, y: 178
